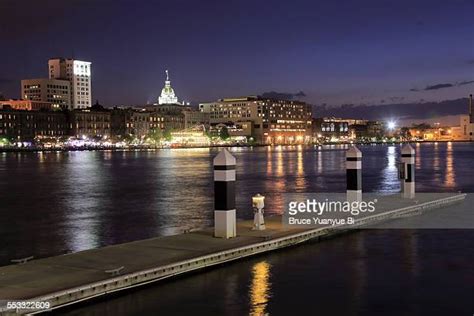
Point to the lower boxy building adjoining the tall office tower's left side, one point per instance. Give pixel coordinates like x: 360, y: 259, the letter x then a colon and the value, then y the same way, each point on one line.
x: 55, y: 91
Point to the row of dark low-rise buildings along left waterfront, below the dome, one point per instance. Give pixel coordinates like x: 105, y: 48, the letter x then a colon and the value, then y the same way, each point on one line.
x: 96, y: 121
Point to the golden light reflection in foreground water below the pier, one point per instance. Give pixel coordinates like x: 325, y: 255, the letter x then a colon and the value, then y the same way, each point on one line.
x: 260, y: 288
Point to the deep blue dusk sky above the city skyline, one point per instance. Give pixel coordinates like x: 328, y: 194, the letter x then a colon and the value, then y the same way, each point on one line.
x: 368, y: 51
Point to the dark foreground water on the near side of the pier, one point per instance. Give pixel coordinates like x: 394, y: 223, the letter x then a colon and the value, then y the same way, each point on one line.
x: 368, y: 272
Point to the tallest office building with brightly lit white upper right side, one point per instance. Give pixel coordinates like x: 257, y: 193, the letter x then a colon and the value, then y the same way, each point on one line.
x: 78, y: 73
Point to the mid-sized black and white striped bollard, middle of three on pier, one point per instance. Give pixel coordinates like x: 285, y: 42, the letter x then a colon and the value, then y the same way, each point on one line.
x: 354, y: 174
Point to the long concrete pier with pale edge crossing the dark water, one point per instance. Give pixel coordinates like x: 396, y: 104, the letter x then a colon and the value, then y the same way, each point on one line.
x: 72, y: 278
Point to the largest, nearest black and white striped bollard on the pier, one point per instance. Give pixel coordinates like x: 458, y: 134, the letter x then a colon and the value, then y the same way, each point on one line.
x: 224, y: 195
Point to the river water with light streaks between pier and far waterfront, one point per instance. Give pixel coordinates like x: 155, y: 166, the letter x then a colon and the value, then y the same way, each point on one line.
x: 61, y: 202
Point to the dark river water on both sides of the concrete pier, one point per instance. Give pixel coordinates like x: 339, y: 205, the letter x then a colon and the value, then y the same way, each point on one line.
x: 53, y: 203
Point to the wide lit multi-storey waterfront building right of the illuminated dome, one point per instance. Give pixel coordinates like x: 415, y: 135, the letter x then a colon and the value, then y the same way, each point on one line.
x: 272, y: 121
